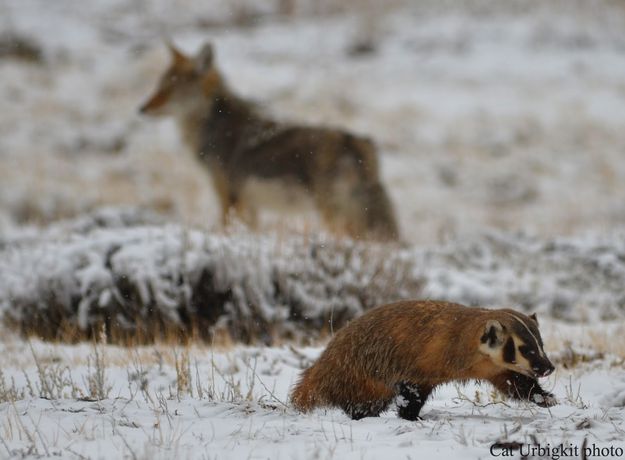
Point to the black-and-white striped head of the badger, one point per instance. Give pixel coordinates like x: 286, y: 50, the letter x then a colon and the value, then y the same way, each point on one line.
x: 512, y: 340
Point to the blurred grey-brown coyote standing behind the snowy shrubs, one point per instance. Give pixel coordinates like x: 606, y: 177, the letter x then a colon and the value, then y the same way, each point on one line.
x: 337, y: 170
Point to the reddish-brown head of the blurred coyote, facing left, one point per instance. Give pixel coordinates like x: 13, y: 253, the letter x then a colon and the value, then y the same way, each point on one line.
x: 188, y: 84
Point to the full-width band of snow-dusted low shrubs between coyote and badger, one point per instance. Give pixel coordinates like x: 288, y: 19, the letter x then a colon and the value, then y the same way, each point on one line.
x: 141, y: 279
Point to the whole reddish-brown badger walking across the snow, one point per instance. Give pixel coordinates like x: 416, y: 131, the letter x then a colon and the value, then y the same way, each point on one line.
x: 402, y: 351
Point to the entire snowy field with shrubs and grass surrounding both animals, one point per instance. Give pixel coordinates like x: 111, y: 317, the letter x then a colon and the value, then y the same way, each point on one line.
x: 500, y: 132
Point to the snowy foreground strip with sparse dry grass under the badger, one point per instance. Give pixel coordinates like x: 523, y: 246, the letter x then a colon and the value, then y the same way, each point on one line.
x: 214, y: 403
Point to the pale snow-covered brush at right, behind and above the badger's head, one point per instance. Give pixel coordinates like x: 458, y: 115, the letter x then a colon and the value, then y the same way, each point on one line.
x: 577, y: 278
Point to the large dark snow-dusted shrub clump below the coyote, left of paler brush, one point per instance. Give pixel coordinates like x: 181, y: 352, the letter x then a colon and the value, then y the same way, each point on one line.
x: 145, y: 280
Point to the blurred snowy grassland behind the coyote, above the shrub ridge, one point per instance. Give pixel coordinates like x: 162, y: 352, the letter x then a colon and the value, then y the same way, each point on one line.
x: 487, y: 114
